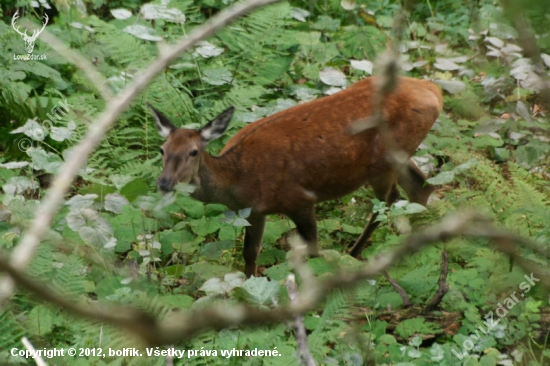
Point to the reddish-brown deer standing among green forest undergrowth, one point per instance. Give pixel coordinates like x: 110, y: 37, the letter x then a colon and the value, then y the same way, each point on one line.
x: 289, y: 161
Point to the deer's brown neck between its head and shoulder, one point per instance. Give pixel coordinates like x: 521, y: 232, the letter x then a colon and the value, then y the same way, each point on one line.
x: 215, y: 181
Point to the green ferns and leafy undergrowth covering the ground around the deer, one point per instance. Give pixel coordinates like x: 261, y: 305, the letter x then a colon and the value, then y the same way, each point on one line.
x: 116, y: 238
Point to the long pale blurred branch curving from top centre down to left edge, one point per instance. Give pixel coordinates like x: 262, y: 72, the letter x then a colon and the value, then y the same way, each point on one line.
x: 24, y: 252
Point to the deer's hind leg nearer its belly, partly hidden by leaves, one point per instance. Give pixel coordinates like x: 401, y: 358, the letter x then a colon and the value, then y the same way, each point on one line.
x: 386, y: 193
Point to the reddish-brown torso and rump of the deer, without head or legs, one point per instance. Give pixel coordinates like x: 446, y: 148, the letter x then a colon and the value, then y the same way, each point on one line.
x: 307, y: 153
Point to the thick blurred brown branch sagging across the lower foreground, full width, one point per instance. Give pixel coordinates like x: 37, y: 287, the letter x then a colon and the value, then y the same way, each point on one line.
x: 182, y: 327
